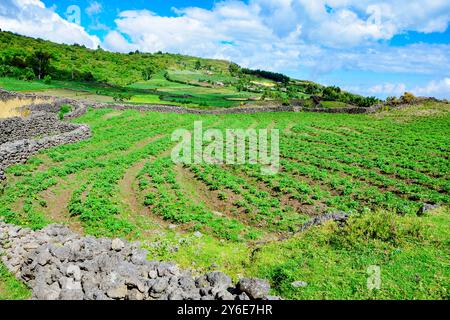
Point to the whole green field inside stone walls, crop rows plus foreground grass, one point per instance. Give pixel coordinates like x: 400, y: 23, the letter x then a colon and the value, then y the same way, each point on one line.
x: 380, y: 168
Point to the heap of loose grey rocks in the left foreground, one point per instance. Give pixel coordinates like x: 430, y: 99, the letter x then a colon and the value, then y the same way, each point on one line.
x: 58, y: 264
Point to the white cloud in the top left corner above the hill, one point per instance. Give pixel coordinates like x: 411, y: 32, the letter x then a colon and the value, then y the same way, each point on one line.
x: 33, y: 19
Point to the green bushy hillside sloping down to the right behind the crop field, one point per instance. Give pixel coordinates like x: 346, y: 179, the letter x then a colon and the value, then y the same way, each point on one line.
x: 28, y: 64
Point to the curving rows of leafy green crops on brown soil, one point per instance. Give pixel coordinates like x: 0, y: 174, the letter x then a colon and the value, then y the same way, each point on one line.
x: 353, y: 163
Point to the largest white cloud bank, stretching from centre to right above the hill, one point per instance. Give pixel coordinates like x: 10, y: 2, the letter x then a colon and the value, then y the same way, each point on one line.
x: 289, y: 35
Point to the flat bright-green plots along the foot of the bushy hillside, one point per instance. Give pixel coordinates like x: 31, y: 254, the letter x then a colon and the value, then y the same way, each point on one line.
x: 157, y: 90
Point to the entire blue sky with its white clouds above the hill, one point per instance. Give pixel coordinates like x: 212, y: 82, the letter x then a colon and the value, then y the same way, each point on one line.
x: 372, y: 47
